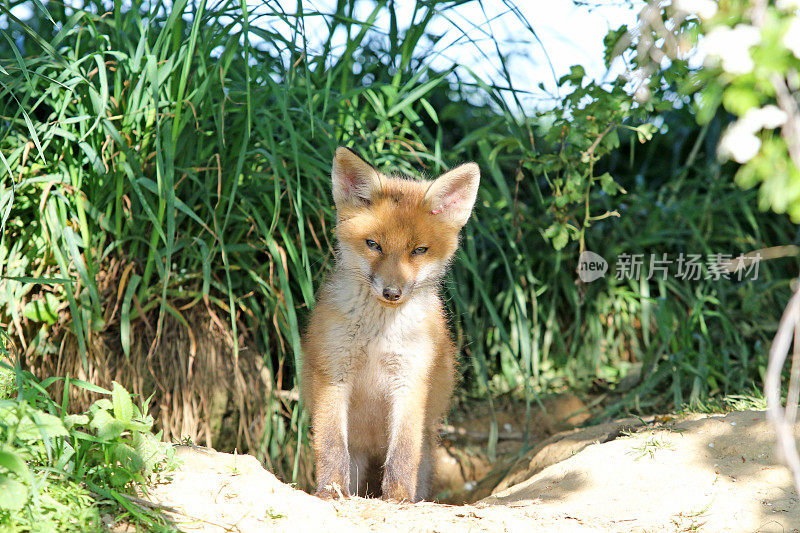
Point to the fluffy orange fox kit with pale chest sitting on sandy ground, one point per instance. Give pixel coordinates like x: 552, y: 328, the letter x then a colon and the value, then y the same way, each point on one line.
x: 379, y: 362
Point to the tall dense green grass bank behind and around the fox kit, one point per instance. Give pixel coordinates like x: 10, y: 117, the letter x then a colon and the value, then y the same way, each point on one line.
x: 169, y: 169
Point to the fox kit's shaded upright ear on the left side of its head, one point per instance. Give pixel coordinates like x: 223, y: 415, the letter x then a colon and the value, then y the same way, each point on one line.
x: 354, y: 180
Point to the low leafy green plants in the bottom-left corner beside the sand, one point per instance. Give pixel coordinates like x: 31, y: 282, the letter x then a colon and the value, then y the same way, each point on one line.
x: 61, y: 471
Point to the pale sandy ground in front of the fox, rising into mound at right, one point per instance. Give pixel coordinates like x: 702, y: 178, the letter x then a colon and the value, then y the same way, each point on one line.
x: 705, y: 473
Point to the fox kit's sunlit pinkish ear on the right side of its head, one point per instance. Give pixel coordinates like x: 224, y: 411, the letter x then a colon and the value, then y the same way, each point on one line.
x: 453, y: 194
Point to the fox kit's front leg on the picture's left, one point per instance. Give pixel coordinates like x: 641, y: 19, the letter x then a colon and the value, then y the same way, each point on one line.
x: 329, y: 423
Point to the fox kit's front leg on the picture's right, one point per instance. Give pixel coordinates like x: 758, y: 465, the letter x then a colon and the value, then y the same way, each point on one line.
x: 407, y: 419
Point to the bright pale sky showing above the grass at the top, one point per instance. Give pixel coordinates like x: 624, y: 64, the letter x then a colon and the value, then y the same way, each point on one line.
x: 563, y: 34
